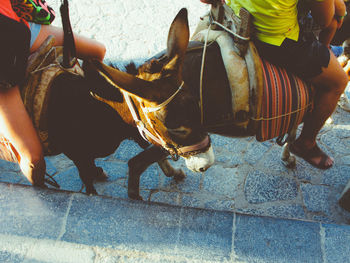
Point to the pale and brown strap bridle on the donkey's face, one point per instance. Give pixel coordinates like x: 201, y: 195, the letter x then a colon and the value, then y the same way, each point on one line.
x: 154, y: 135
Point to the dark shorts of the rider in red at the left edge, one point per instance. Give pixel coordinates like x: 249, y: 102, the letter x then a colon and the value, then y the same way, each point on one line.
x: 14, y: 50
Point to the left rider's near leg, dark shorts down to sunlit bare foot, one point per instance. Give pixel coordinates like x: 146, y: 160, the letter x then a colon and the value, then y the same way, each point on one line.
x: 15, y: 124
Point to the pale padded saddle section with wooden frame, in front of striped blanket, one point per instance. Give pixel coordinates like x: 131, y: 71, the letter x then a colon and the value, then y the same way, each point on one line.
x: 241, y: 60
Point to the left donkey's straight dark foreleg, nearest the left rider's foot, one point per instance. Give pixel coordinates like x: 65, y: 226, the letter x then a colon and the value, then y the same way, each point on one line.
x: 87, y: 173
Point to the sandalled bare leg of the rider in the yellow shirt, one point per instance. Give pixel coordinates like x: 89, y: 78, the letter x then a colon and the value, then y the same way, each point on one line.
x: 330, y: 84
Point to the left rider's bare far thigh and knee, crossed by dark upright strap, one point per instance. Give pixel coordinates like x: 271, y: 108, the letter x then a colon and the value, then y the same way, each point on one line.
x: 86, y: 47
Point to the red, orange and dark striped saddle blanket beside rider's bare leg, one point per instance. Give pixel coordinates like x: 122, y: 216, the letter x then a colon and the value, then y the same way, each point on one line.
x: 286, y: 99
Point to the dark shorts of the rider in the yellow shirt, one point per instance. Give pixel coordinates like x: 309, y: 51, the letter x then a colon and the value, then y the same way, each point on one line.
x: 305, y: 58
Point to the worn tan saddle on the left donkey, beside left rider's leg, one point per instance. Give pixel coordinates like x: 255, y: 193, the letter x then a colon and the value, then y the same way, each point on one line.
x: 43, y: 67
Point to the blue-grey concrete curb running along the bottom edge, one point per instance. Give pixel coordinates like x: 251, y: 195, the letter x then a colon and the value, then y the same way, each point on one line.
x: 58, y: 226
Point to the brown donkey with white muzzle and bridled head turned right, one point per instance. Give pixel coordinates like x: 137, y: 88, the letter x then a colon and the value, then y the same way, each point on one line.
x: 155, y: 105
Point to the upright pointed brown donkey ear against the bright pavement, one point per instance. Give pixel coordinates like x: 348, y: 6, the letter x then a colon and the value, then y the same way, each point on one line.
x: 178, y: 38
